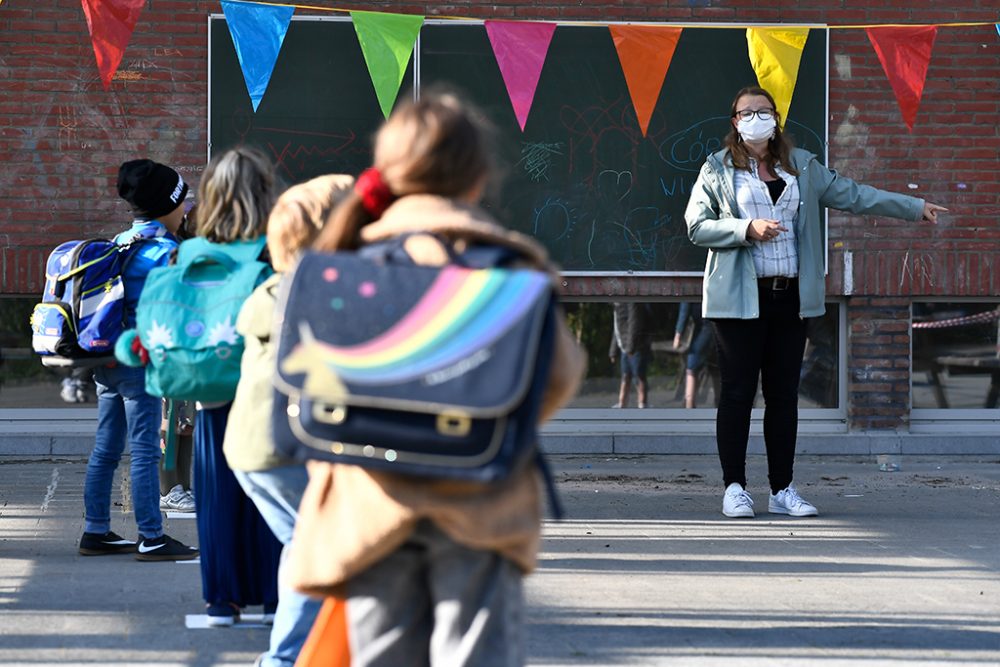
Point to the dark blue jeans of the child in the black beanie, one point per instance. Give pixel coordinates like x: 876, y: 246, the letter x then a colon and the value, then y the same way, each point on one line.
x: 125, y: 413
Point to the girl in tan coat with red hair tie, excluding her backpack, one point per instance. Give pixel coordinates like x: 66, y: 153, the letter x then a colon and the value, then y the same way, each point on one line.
x: 417, y: 557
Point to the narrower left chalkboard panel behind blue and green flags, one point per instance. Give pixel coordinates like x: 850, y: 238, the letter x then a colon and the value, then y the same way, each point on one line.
x: 320, y: 111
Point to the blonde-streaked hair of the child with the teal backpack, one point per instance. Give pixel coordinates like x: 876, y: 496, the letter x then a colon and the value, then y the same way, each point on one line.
x: 235, y: 196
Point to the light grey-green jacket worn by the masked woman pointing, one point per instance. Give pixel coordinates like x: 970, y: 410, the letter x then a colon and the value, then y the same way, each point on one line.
x: 730, y: 284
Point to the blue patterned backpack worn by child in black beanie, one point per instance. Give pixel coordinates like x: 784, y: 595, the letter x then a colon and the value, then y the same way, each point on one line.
x: 82, y: 311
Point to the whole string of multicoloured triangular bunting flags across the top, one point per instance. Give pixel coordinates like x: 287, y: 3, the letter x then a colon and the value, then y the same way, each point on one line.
x: 645, y: 50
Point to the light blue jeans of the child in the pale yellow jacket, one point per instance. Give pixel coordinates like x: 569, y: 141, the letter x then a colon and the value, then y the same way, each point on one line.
x: 277, y: 494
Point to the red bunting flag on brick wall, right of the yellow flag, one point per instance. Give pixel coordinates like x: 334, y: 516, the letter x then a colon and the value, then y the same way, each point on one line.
x: 905, y: 53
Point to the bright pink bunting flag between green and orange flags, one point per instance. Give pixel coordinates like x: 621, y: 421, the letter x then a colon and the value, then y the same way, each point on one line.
x: 520, y: 48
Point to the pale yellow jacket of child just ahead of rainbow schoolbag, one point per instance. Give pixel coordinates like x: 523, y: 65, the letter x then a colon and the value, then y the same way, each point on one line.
x: 248, y: 445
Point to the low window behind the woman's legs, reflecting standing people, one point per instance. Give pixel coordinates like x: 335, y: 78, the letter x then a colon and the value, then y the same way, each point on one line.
x: 662, y: 355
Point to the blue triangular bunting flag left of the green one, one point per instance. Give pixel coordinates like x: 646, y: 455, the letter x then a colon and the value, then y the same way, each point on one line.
x: 258, y: 32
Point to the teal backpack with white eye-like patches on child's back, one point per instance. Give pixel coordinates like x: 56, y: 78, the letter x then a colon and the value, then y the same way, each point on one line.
x: 186, y: 320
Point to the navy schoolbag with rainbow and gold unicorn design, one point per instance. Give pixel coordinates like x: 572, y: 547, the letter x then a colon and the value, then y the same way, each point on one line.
x: 427, y: 371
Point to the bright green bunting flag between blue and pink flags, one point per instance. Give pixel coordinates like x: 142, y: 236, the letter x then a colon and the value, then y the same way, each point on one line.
x: 386, y: 41
